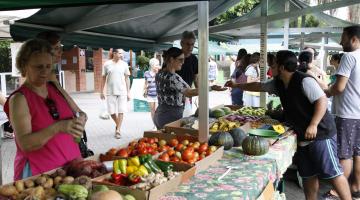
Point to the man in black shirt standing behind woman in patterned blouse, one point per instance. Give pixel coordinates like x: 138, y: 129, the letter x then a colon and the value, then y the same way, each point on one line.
x: 189, y: 69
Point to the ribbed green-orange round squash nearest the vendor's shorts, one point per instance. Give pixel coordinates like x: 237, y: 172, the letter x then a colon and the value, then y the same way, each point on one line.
x: 254, y: 145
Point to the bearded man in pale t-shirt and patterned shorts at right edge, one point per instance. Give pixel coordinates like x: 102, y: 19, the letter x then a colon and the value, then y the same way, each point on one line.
x: 346, y: 103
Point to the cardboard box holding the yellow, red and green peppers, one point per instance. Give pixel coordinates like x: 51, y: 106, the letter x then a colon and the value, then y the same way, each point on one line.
x: 156, y: 192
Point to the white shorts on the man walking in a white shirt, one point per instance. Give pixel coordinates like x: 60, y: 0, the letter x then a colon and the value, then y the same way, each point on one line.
x: 116, y: 104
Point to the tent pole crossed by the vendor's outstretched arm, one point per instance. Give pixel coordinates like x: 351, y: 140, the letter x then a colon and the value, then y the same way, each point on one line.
x: 263, y: 50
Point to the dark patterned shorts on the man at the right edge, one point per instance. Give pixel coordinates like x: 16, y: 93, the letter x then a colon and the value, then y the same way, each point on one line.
x: 348, y: 137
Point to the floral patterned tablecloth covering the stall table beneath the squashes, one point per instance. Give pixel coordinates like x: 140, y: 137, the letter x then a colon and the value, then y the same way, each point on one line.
x: 246, y: 182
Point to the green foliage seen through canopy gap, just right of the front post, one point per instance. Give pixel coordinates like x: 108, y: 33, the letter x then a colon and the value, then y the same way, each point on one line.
x: 244, y: 6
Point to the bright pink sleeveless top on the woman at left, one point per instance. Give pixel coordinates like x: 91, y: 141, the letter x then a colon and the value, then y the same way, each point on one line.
x: 58, y: 150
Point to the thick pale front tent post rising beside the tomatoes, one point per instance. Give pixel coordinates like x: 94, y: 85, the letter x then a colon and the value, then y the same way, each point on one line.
x: 203, y: 36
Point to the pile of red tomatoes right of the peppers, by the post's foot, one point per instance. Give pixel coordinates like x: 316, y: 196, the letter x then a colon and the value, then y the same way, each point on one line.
x: 187, y: 152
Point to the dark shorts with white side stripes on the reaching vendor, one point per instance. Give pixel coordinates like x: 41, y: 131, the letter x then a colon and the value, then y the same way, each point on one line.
x: 318, y: 158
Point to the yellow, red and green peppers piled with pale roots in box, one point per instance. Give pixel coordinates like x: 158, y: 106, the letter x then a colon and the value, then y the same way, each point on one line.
x: 141, y: 172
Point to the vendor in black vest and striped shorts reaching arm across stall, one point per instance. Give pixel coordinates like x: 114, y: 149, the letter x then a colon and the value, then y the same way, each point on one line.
x: 305, y: 108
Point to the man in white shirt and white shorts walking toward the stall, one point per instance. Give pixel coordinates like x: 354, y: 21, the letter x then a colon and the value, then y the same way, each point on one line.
x: 116, y: 84
